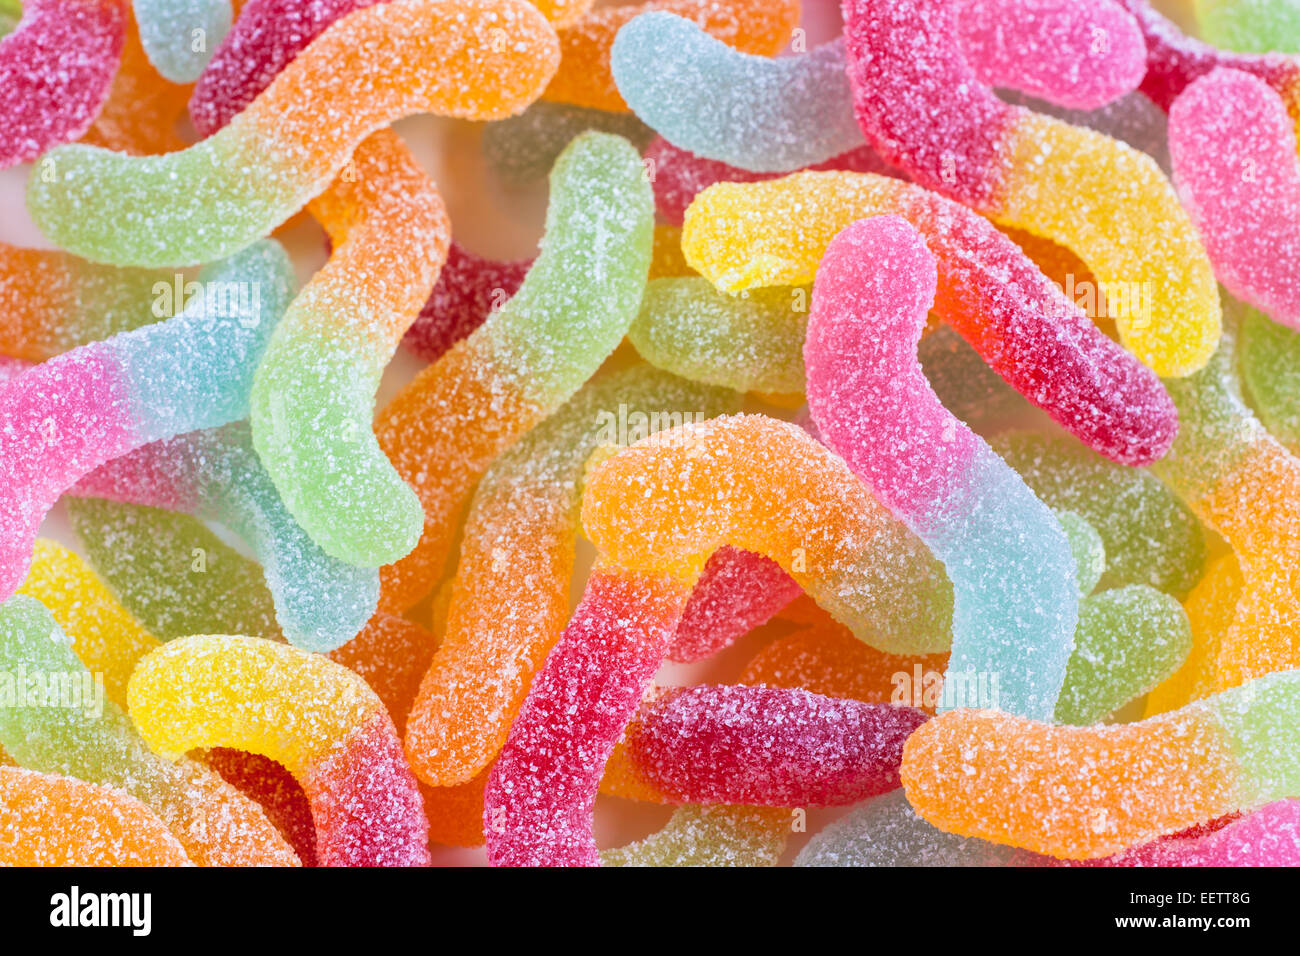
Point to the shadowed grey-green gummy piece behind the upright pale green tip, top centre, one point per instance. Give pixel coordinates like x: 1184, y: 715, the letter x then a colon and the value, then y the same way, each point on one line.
x: 525, y: 148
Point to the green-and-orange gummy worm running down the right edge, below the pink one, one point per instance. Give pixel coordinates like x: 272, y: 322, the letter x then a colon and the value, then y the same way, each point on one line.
x: 1242, y: 483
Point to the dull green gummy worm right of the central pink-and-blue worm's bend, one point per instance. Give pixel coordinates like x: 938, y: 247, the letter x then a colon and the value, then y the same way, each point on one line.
x: 1151, y: 538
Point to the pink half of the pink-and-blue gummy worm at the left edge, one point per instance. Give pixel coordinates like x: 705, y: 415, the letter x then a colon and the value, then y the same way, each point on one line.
x: 63, y: 418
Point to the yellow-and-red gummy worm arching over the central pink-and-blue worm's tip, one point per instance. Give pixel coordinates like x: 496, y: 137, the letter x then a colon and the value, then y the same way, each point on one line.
x: 742, y: 236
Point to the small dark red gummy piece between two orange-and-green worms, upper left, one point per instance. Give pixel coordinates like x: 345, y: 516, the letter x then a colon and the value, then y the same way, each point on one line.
x: 470, y: 288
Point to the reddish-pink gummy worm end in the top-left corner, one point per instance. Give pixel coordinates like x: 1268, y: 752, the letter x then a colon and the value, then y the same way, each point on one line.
x: 55, y: 70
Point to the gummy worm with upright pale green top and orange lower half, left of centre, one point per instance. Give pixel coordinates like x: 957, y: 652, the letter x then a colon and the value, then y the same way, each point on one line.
x: 528, y: 358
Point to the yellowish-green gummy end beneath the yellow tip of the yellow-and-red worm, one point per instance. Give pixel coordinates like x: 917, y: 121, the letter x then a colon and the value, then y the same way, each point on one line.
x: 749, y: 343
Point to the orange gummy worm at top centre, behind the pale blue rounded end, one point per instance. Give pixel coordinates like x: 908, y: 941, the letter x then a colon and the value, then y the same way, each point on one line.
x: 586, y: 77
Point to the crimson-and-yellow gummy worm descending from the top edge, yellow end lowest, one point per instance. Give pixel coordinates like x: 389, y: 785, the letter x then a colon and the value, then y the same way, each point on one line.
x: 925, y: 110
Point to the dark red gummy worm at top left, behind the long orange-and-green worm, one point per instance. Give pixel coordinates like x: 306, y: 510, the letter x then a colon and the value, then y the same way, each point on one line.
x: 262, y: 42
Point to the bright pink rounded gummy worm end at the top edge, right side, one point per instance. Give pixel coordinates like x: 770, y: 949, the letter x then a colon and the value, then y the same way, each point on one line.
x: 1080, y: 54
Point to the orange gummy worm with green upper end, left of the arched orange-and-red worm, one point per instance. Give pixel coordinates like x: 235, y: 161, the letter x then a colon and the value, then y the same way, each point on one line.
x: 517, y: 553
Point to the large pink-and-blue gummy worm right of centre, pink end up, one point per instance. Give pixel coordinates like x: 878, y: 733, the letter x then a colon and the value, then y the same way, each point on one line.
x: 1016, y: 600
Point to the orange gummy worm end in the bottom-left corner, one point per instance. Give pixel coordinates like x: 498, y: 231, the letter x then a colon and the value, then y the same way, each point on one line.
x: 58, y: 821
